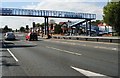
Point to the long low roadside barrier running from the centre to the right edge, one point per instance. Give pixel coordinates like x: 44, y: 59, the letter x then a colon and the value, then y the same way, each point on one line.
x: 87, y: 38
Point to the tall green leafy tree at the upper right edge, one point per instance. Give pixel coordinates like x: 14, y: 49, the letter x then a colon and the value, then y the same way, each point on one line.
x: 112, y: 15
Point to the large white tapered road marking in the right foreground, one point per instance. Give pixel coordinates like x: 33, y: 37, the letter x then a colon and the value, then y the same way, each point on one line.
x: 88, y: 73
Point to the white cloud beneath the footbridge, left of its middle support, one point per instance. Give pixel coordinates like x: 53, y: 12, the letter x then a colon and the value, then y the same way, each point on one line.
x: 16, y: 22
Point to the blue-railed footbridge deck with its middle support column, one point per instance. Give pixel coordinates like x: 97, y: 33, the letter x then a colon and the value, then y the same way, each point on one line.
x: 46, y: 14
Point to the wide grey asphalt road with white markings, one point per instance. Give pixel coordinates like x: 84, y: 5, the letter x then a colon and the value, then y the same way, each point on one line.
x: 51, y: 57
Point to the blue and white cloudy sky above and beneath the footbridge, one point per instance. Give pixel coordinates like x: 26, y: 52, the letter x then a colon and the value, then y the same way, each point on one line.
x: 81, y: 6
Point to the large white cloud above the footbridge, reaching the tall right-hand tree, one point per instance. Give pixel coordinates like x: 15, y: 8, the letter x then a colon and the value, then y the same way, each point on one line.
x: 82, y: 7
